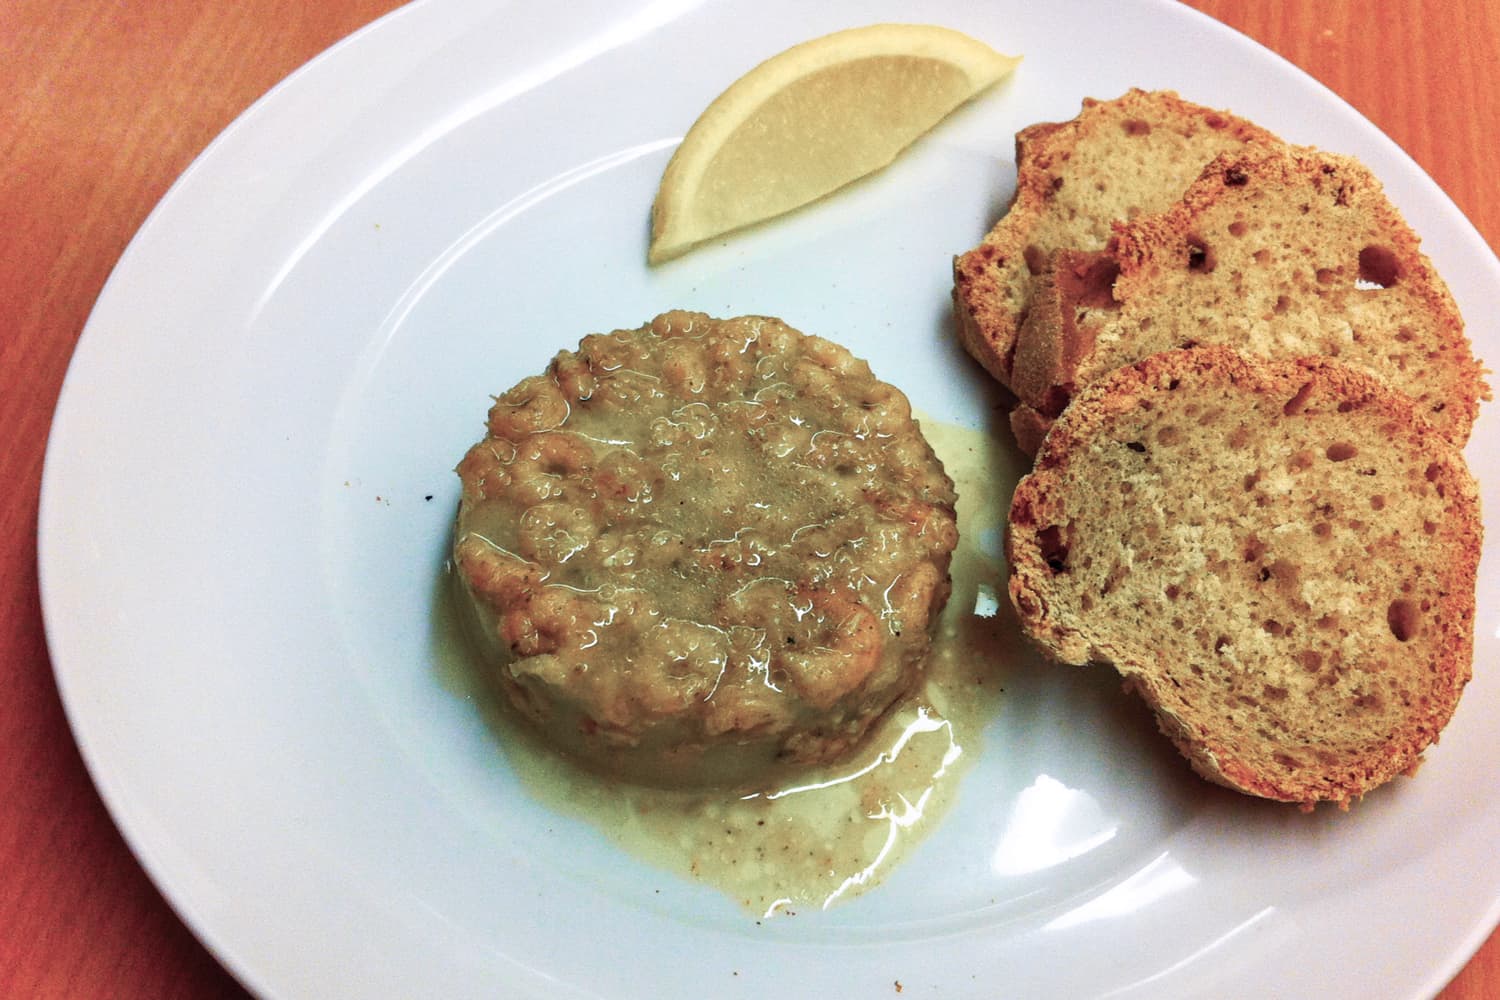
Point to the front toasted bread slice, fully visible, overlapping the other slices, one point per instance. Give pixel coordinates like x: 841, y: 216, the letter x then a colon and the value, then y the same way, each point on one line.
x: 1277, y: 555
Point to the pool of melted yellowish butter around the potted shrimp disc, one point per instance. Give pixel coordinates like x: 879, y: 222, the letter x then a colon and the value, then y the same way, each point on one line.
x: 830, y: 833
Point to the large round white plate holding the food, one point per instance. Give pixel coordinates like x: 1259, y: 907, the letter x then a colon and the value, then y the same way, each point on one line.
x: 248, y: 493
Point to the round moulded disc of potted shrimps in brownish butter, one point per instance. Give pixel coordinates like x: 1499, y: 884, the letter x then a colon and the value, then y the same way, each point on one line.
x: 704, y: 551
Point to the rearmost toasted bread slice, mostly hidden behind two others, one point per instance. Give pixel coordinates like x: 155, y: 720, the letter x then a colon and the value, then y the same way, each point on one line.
x: 1117, y: 160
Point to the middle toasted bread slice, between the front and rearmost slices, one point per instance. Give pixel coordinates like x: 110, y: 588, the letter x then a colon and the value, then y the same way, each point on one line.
x: 1276, y: 251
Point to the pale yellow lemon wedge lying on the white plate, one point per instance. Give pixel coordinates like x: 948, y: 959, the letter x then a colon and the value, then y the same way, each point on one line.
x: 811, y: 121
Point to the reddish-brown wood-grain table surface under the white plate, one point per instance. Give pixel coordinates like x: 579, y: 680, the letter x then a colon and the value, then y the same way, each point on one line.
x: 104, y: 104
